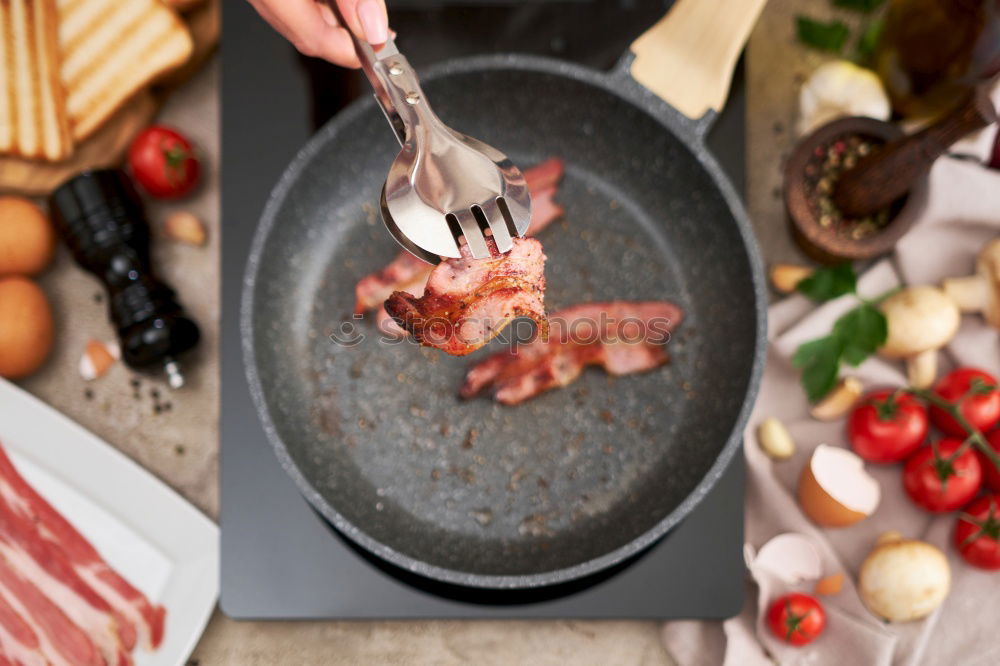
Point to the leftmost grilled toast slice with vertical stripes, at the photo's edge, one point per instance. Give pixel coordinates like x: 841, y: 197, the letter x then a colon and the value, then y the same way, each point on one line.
x: 33, y: 118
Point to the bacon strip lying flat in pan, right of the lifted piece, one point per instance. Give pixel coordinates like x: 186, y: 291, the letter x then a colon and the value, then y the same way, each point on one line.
x: 622, y: 337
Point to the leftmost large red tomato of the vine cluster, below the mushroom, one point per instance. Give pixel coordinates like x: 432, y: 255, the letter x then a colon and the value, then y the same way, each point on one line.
x: 887, y: 426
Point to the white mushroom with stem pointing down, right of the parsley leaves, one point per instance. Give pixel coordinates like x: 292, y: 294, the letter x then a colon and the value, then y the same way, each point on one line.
x: 921, y: 320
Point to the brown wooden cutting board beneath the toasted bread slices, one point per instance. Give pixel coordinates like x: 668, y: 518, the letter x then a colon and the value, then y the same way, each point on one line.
x: 107, y: 146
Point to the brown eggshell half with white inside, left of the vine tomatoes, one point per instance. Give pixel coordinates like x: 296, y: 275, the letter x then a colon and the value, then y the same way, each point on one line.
x: 834, y: 488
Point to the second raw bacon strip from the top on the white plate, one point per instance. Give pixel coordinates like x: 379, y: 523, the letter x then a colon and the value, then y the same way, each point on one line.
x: 46, y: 565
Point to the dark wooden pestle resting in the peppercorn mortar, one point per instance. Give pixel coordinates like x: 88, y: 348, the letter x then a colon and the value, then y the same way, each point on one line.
x: 889, y: 173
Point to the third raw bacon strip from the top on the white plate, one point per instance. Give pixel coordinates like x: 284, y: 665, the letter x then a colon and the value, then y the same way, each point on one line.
x: 60, y: 641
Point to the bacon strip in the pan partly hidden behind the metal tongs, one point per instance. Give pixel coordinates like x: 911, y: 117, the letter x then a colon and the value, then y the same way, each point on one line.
x: 409, y: 274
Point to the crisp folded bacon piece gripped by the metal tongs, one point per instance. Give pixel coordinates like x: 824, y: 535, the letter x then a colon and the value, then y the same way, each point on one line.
x: 469, y: 301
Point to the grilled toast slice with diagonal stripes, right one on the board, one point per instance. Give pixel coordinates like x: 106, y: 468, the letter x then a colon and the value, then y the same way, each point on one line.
x: 111, y: 49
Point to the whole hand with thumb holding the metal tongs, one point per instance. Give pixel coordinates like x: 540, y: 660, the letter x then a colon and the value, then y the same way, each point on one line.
x: 310, y: 25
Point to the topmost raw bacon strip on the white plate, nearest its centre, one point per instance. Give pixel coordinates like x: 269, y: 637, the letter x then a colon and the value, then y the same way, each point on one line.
x: 128, y: 603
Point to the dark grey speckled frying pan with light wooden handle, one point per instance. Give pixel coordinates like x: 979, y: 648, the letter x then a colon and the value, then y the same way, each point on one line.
x: 578, y: 479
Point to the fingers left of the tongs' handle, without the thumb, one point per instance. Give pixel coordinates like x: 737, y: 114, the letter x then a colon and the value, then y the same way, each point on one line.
x: 311, y: 28
